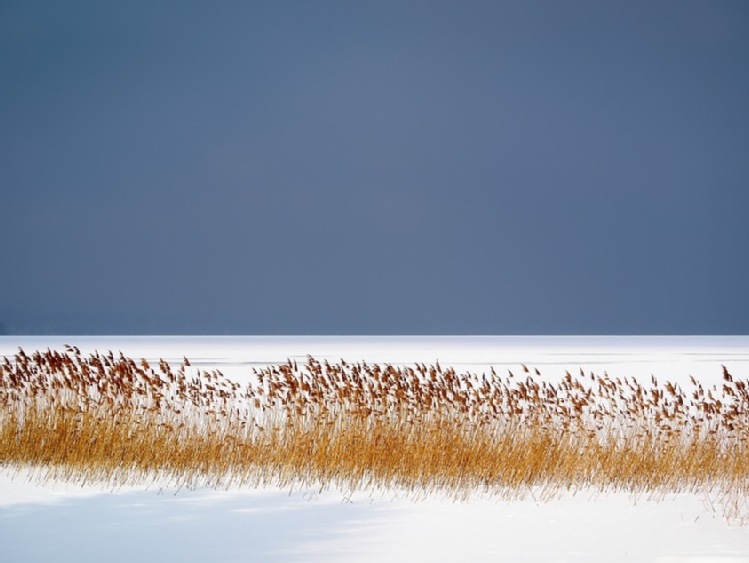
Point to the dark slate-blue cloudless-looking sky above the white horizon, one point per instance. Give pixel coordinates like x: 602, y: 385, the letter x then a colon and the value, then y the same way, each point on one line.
x: 389, y: 167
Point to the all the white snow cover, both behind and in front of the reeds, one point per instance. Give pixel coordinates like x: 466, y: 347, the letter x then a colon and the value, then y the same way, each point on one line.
x: 155, y: 522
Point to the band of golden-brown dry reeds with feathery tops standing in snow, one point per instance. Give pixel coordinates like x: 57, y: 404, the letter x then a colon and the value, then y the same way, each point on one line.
x: 425, y: 428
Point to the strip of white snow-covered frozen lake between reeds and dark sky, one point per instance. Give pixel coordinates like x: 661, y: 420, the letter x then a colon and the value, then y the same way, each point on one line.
x: 664, y: 356
